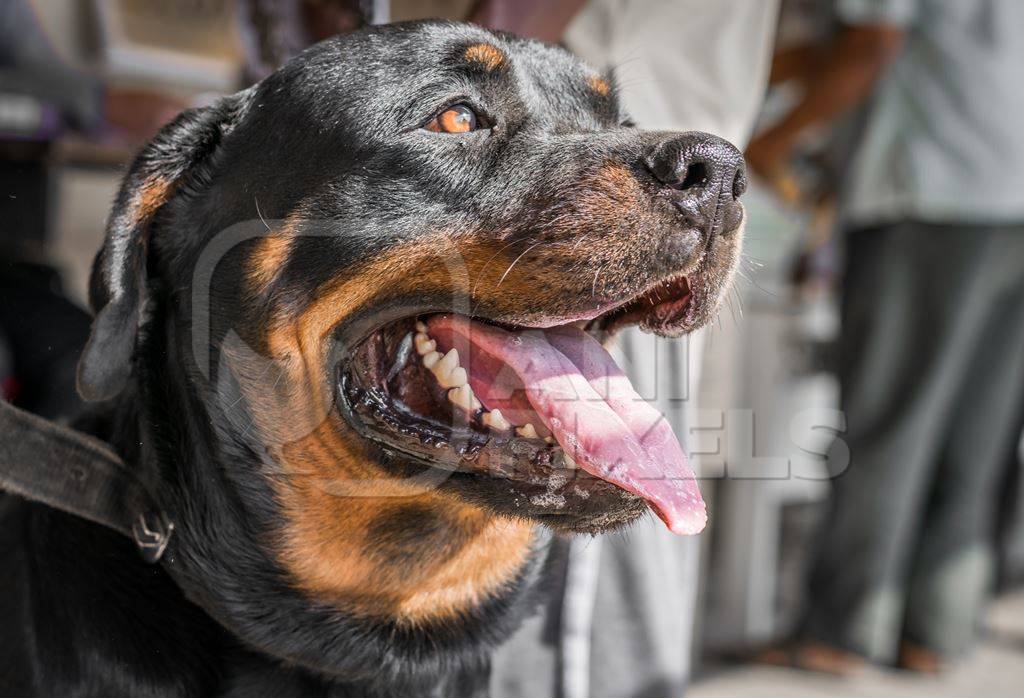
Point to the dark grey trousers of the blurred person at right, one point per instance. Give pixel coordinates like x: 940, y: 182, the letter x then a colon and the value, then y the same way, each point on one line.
x: 932, y: 377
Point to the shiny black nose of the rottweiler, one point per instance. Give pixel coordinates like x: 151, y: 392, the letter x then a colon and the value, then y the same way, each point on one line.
x: 705, y: 177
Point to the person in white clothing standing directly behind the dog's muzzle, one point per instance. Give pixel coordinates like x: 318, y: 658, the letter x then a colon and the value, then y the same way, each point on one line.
x: 625, y: 625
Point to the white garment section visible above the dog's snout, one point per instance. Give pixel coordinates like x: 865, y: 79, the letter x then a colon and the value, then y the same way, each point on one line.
x: 684, y: 65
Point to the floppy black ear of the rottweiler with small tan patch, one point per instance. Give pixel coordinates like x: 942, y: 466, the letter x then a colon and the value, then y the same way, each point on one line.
x: 118, y: 285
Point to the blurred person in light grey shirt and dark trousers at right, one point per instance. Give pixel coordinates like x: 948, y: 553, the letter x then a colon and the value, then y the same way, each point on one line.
x: 932, y: 347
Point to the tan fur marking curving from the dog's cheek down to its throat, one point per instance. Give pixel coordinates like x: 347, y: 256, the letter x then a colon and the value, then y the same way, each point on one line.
x: 324, y: 541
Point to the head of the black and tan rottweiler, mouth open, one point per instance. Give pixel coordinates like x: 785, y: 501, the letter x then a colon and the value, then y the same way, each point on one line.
x: 381, y: 279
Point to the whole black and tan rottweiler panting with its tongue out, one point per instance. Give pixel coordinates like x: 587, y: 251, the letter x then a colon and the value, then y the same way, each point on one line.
x: 351, y: 324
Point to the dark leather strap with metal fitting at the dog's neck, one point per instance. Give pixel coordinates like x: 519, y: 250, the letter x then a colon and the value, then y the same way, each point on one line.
x: 78, y: 474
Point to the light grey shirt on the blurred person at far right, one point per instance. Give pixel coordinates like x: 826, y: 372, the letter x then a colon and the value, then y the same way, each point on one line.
x: 944, y: 140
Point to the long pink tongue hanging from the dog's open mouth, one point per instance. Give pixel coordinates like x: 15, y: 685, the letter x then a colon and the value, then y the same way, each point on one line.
x: 591, y: 409
